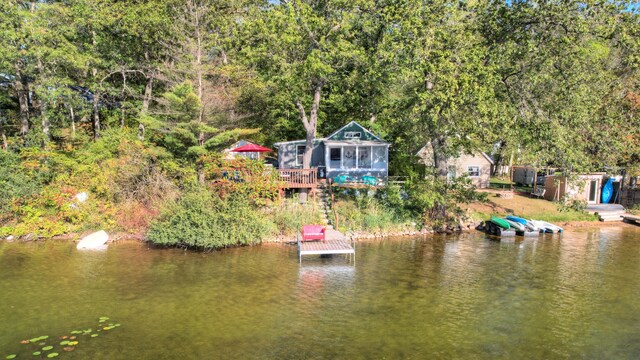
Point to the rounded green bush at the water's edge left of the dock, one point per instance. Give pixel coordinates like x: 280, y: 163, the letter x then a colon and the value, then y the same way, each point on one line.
x: 204, y: 221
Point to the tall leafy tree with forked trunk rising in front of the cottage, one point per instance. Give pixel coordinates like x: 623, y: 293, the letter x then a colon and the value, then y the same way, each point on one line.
x: 300, y: 47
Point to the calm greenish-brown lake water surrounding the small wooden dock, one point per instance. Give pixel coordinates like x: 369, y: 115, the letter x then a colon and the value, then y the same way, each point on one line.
x: 466, y: 296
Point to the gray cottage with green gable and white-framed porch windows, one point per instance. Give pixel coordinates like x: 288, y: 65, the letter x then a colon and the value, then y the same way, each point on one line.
x: 352, y: 151
